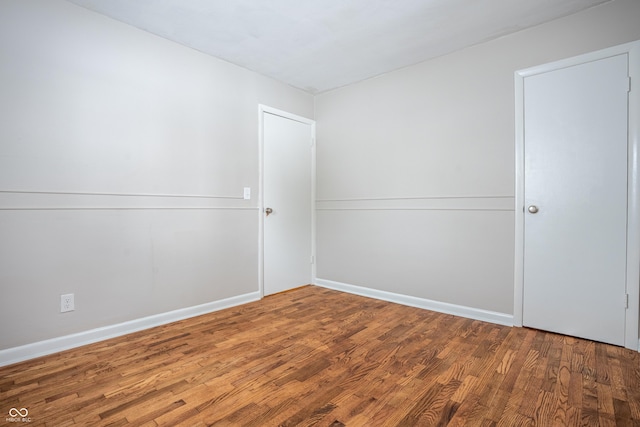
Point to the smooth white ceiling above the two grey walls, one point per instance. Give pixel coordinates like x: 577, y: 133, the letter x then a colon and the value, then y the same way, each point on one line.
x: 318, y: 45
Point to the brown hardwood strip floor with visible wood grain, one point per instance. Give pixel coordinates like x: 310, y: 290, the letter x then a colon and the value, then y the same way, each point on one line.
x: 314, y: 356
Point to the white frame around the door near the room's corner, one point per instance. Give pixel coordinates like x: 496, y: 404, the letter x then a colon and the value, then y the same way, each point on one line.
x: 262, y: 110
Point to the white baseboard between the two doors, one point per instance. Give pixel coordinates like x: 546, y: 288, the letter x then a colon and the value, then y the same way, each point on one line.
x: 442, y: 307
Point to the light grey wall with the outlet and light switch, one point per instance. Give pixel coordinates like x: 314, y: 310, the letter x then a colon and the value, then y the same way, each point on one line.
x: 90, y: 105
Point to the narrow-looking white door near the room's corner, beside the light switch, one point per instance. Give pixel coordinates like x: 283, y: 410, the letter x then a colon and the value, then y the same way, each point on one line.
x: 287, y: 202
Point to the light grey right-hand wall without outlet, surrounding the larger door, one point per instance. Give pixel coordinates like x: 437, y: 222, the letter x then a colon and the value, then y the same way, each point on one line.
x: 416, y: 167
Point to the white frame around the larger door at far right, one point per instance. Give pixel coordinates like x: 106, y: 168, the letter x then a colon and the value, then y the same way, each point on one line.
x: 632, y: 316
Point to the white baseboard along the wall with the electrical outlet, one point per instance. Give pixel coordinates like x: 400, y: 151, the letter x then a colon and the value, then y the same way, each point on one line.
x: 54, y: 345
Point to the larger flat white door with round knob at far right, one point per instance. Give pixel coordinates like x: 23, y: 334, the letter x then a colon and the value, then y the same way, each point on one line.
x: 575, y: 198
